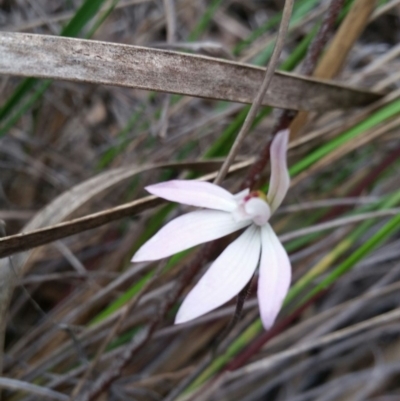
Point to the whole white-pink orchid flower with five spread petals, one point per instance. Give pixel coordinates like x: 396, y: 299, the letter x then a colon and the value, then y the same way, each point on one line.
x: 224, y: 214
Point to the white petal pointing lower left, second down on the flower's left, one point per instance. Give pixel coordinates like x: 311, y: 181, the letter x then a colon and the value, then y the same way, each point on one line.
x: 186, y: 231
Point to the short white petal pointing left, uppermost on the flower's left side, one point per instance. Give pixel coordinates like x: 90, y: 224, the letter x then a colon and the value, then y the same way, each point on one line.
x: 195, y: 193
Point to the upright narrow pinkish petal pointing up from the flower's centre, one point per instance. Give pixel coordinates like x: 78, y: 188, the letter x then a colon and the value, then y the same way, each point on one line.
x: 280, y: 180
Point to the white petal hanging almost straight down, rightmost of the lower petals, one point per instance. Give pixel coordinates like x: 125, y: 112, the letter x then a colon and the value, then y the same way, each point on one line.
x: 274, y: 278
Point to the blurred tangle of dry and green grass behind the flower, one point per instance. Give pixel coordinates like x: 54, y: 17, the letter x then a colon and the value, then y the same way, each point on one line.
x: 81, y: 322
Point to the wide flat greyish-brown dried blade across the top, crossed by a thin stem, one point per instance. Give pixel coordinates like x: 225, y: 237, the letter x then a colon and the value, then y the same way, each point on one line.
x: 166, y: 71
